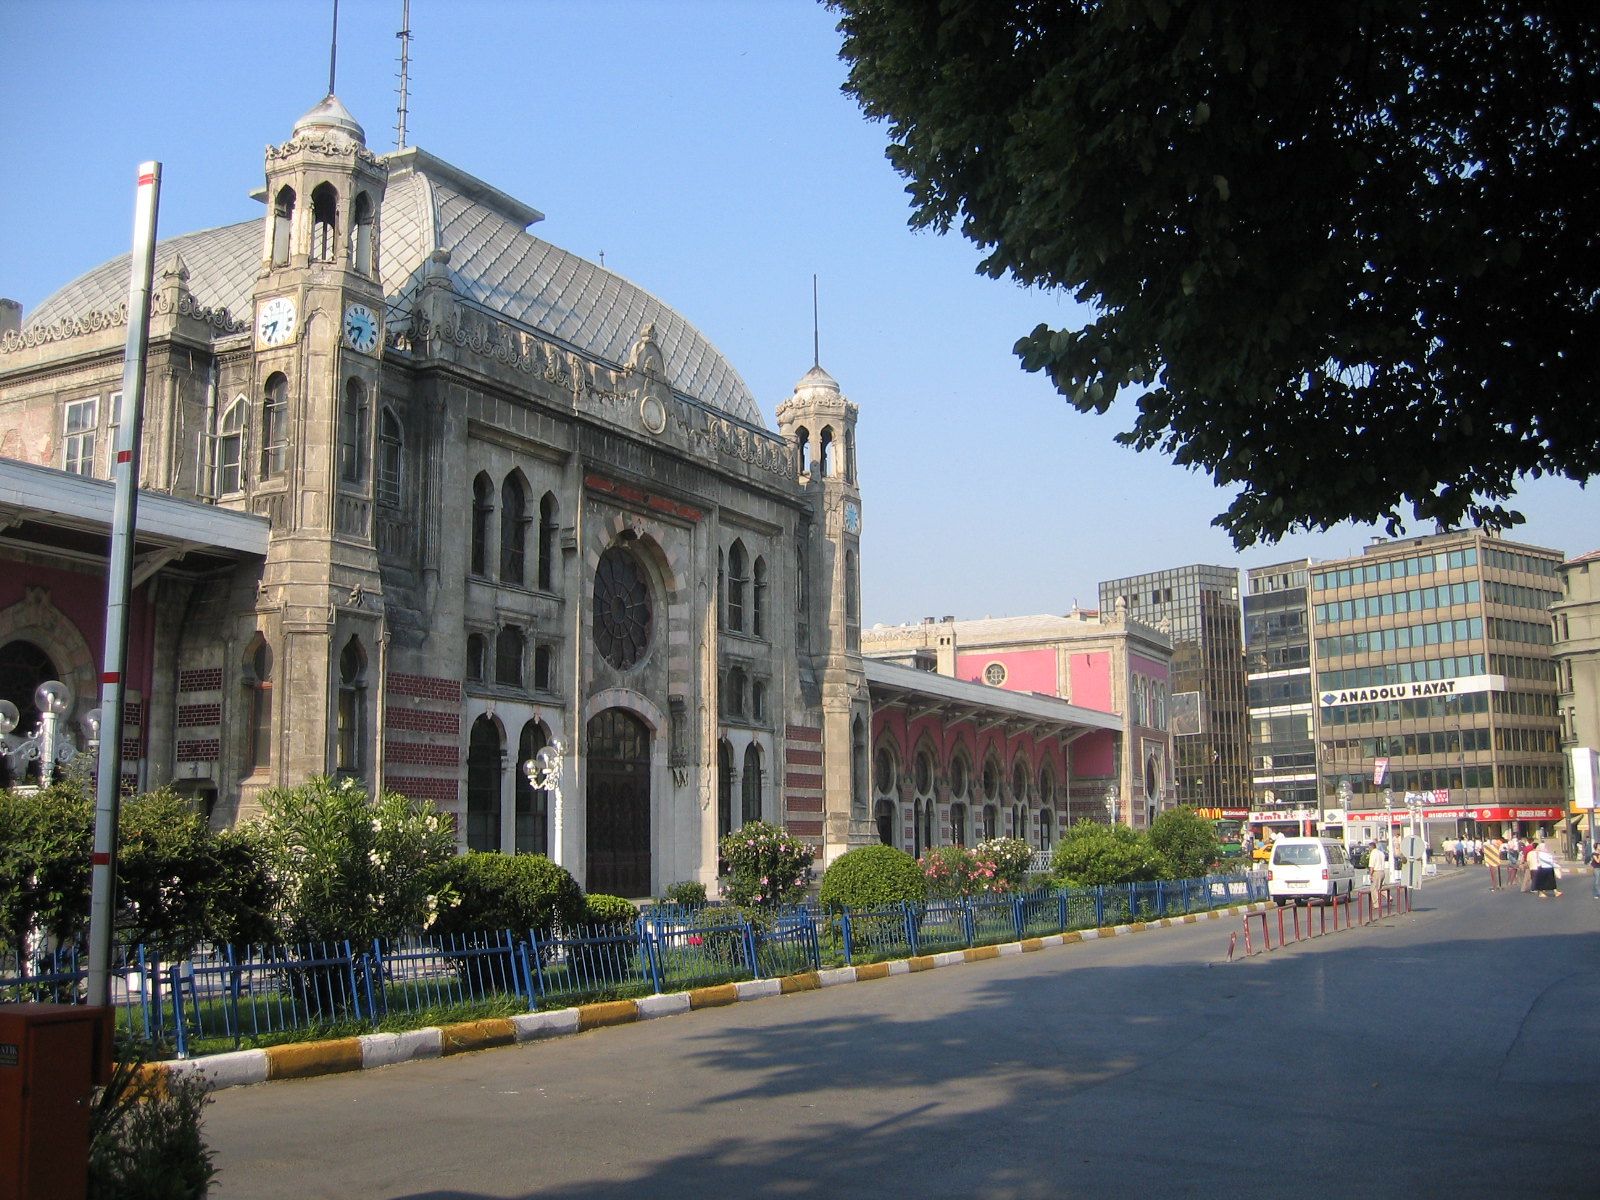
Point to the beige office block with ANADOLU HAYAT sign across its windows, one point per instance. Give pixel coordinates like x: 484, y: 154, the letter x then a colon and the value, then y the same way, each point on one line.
x: 1436, y: 686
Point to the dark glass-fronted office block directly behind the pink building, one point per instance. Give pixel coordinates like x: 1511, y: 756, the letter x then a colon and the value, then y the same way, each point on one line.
x: 1199, y: 609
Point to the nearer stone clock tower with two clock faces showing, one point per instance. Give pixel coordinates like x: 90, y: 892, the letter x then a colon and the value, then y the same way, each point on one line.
x: 318, y: 345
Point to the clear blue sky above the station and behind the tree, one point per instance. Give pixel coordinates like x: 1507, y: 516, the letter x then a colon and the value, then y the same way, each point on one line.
x: 706, y: 151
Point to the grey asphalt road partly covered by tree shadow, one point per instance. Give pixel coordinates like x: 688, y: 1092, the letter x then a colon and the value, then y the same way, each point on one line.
x: 1454, y: 1052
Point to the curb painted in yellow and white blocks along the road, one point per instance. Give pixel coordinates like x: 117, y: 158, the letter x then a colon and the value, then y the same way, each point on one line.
x: 306, y: 1060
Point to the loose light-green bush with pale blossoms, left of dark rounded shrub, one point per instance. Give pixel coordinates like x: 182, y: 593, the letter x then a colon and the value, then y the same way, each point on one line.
x: 353, y: 865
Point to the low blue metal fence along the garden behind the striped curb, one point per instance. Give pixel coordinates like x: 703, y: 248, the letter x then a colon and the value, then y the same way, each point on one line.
x: 223, y: 998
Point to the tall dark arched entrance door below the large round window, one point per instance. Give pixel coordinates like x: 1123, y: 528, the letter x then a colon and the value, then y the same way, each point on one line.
x: 618, y: 804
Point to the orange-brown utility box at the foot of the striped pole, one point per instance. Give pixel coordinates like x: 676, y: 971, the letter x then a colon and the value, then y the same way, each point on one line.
x: 52, y: 1057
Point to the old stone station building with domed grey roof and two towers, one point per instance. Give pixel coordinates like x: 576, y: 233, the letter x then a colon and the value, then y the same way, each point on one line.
x: 425, y: 495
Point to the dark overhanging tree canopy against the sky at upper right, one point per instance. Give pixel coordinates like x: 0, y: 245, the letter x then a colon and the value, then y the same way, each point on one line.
x: 1342, y: 255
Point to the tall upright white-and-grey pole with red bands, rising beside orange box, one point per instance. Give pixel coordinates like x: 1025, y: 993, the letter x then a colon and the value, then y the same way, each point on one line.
x: 119, y: 585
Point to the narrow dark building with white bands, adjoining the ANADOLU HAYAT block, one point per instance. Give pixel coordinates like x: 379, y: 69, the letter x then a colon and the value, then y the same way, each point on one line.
x: 1282, y: 689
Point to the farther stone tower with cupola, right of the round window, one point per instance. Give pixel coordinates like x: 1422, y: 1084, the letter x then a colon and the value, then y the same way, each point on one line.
x: 820, y: 426
